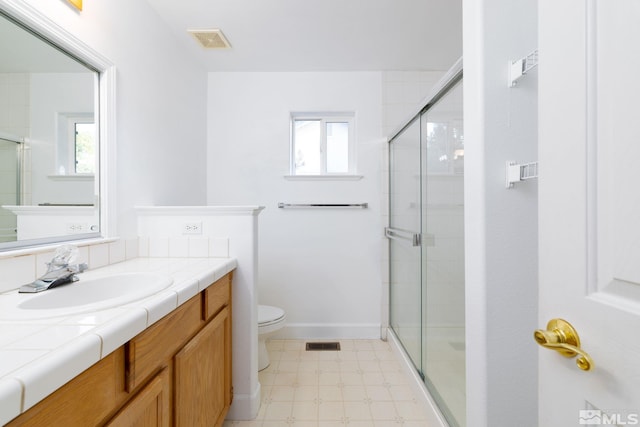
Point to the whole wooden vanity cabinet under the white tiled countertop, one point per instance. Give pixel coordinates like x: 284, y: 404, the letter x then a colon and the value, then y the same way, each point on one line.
x: 177, y: 372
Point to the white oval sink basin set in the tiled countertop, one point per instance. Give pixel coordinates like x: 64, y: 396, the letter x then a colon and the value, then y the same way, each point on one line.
x: 87, y: 294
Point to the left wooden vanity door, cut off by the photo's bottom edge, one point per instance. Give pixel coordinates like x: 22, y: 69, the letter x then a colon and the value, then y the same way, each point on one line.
x: 150, y: 407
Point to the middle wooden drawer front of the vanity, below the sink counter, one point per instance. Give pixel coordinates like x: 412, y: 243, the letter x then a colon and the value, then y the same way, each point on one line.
x: 151, y: 349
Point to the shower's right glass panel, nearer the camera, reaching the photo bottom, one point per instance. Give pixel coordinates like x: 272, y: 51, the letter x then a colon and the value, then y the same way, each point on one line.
x: 443, y: 254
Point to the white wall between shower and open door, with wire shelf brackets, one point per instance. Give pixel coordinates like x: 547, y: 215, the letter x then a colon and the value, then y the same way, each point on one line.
x: 501, y: 224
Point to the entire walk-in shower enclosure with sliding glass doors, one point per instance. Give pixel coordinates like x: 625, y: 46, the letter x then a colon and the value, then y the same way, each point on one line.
x: 426, y: 245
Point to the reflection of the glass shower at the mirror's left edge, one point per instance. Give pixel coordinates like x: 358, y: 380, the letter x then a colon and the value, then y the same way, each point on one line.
x: 11, y: 151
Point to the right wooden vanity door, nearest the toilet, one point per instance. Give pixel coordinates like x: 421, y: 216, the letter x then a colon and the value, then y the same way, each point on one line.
x: 203, y: 375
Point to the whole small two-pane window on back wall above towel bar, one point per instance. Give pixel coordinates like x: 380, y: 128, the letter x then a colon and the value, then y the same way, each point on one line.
x: 322, y: 144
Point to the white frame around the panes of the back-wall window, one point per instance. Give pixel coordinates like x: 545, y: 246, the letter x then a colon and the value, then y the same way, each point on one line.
x: 324, y: 118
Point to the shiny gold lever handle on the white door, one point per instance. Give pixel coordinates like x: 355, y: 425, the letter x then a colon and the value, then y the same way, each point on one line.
x: 562, y: 337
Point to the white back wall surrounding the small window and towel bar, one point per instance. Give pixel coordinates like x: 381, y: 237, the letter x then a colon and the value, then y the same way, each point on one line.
x: 321, y: 266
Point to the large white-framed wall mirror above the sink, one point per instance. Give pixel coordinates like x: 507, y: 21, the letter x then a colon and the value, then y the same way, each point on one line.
x: 50, y: 133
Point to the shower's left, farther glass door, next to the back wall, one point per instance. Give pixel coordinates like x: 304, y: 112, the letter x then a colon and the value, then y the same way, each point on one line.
x: 405, y: 272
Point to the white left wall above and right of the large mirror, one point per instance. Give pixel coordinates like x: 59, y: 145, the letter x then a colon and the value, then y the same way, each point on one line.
x: 161, y: 102
